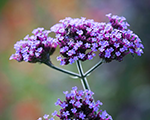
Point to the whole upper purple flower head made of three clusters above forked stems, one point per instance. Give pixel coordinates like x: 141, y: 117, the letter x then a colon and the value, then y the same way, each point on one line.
x: 79, y: 39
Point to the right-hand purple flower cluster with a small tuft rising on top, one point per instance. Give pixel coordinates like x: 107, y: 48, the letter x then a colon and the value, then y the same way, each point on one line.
x: 116, y: 40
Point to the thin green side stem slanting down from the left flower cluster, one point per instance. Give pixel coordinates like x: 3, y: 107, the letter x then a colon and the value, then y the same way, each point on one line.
x: 62, y: 70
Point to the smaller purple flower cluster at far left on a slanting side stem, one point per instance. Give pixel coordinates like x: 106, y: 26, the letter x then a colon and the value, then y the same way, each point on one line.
x: 35, y: 48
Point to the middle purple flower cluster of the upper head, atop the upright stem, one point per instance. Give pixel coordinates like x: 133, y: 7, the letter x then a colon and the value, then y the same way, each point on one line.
x: 75, y: 37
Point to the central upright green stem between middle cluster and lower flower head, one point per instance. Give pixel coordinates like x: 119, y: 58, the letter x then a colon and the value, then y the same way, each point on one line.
x: 83, y: 78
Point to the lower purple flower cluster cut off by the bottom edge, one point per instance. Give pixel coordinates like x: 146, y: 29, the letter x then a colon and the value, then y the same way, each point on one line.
x: 79, y: 105
